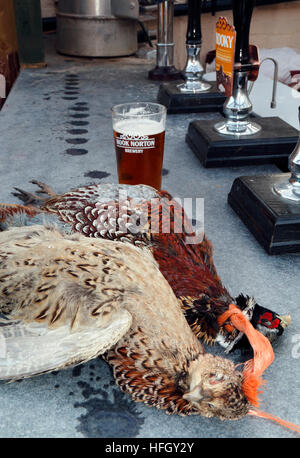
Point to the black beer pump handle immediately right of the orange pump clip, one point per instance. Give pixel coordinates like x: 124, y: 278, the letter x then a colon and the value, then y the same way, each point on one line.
x: 242, y: 14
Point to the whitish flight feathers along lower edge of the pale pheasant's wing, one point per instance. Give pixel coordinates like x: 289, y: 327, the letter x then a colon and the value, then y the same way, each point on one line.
x: 28, y: 349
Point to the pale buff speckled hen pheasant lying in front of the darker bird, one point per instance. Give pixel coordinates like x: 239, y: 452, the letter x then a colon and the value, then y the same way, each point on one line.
x: 66, y: 299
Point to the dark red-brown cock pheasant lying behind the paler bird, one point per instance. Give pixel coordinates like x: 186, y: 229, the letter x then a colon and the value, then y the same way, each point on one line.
x: 145, y: 216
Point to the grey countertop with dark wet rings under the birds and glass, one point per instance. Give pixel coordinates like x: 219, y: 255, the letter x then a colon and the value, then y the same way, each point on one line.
x: 38, y: 141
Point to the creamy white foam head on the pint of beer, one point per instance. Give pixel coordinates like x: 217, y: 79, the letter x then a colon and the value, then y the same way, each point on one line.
x: 136, y: 127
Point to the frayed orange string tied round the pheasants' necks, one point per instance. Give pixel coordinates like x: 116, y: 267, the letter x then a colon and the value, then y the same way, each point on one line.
x: 254, y: 368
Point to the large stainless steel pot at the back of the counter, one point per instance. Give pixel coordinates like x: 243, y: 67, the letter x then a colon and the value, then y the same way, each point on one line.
x: 97, y: 28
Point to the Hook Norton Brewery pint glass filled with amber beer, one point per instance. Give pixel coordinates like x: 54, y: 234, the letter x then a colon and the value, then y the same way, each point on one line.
x: 139, y: 134
